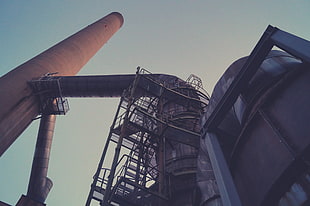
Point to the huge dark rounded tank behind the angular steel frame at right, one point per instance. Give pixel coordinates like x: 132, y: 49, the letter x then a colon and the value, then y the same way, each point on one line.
x: 265, y: 136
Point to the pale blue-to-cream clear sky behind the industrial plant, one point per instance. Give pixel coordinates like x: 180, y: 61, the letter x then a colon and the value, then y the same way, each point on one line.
x: 201, y: 37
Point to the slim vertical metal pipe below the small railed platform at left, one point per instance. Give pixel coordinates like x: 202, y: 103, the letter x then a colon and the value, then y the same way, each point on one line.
x: 39, y: 184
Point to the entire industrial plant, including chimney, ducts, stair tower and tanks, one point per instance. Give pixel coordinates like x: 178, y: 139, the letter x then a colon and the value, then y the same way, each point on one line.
x: 247, y: 144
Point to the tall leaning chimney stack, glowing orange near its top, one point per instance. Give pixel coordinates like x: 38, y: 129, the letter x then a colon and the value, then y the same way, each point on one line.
x: 18, y: 104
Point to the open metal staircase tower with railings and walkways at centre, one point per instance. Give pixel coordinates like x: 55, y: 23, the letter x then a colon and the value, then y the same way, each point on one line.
x: 136, y: 175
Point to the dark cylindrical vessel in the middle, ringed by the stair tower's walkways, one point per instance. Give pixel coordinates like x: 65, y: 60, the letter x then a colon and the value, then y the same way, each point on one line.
x: 181, y: 159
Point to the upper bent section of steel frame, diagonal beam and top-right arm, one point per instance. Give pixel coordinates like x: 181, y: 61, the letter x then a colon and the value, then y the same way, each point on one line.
x: 296, y: 46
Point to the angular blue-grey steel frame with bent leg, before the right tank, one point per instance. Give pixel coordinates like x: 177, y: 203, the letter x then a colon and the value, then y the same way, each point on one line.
x: 272, y: 36
